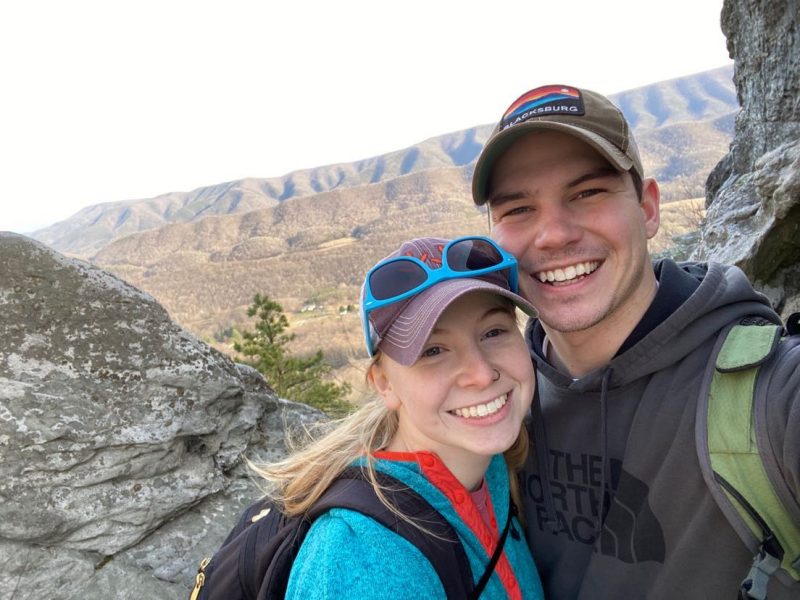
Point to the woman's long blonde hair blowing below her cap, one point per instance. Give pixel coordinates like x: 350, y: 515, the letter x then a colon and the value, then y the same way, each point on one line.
x: 300, y: 479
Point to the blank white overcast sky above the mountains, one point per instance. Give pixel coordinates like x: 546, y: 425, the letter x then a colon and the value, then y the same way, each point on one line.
x: 114, y: 99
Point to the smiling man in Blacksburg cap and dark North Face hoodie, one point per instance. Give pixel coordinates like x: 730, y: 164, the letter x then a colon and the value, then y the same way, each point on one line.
x: 615, y: 500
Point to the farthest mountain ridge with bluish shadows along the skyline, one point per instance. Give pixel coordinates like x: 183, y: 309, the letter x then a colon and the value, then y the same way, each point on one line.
x: 683, y: 127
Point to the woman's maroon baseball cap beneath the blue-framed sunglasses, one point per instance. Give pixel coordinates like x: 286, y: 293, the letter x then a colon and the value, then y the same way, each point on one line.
x: 402, y: 328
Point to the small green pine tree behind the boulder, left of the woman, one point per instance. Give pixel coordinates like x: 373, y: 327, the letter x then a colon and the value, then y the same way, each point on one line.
x: 292, y: 377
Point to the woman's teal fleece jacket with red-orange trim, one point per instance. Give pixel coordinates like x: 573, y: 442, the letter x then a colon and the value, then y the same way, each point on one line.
x: 349, y: 555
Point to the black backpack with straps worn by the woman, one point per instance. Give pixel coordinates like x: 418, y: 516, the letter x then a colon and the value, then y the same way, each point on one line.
x: 255, y: 560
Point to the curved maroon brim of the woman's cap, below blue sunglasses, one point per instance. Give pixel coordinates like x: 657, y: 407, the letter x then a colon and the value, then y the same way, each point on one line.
x: 404, y: 340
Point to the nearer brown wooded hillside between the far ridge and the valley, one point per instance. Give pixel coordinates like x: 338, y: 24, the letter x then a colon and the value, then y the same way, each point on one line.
x: 206, y: 272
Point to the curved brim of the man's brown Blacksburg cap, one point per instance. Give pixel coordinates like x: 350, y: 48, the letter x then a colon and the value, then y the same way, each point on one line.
x: 503, y: 140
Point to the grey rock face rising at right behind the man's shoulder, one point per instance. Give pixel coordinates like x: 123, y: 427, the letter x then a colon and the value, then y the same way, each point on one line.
x: 753, y: 195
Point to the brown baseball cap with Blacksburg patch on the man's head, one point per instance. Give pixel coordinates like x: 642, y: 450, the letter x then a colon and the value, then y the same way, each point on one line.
x: 582, y: 113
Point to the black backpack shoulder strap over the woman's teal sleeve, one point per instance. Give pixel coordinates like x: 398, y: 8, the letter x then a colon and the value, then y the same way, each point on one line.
x: 439, y: 542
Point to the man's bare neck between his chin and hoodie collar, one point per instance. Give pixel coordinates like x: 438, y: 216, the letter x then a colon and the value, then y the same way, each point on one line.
x: 580, y: 352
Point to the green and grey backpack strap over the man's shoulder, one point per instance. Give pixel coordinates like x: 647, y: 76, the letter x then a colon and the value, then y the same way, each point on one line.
x: 738, y: 464
